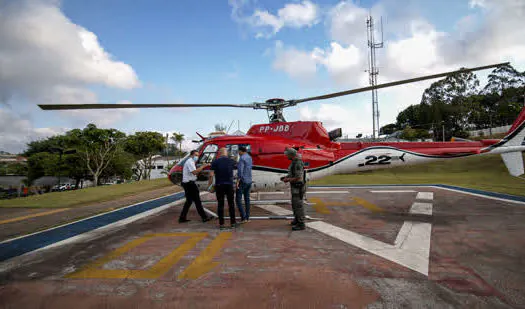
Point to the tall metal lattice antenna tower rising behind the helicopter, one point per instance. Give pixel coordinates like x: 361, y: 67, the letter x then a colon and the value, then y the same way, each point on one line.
x: 373, y: 71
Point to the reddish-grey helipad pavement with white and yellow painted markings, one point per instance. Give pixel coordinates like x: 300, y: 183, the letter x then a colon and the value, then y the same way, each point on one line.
x: 381, y: 247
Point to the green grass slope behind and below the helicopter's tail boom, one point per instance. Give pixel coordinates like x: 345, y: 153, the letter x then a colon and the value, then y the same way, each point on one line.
x: 484, y: 172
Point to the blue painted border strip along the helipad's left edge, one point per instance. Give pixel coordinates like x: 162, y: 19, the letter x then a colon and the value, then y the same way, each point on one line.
x: 29, y: 243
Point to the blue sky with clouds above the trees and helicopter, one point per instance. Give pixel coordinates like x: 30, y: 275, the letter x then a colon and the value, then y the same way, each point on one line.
x: 232, y: 51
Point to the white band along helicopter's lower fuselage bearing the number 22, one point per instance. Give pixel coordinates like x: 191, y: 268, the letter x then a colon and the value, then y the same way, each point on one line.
x: 368, y: 159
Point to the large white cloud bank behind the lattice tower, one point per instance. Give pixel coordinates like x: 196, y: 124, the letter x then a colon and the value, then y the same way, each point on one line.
x: 416, y: 47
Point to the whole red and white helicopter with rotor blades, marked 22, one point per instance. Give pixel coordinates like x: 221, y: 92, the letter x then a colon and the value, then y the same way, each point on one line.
x: 319, y: 150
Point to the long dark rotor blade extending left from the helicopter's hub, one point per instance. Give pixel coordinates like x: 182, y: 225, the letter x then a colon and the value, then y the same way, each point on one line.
x: 117, y: 106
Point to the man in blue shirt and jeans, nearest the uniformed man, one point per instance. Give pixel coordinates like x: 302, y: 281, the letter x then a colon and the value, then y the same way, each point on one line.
x: 244, y: 183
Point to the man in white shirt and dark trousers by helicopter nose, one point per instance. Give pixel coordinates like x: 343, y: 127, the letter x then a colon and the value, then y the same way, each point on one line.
x: 189, y: 176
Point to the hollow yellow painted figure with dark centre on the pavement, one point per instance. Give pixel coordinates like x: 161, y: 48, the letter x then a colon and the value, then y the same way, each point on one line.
x: 93, y: 270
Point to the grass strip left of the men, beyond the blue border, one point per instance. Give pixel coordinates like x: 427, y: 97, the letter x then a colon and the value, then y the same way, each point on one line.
x: 86, y: 196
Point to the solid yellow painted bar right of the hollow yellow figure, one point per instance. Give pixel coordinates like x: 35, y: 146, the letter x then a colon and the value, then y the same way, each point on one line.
x: 203, y: 263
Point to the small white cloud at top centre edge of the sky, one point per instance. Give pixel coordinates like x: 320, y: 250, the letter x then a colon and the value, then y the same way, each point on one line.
x: 266, y: 24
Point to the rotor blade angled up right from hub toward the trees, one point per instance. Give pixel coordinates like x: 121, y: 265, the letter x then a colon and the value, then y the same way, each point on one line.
x: 396, y: 83
